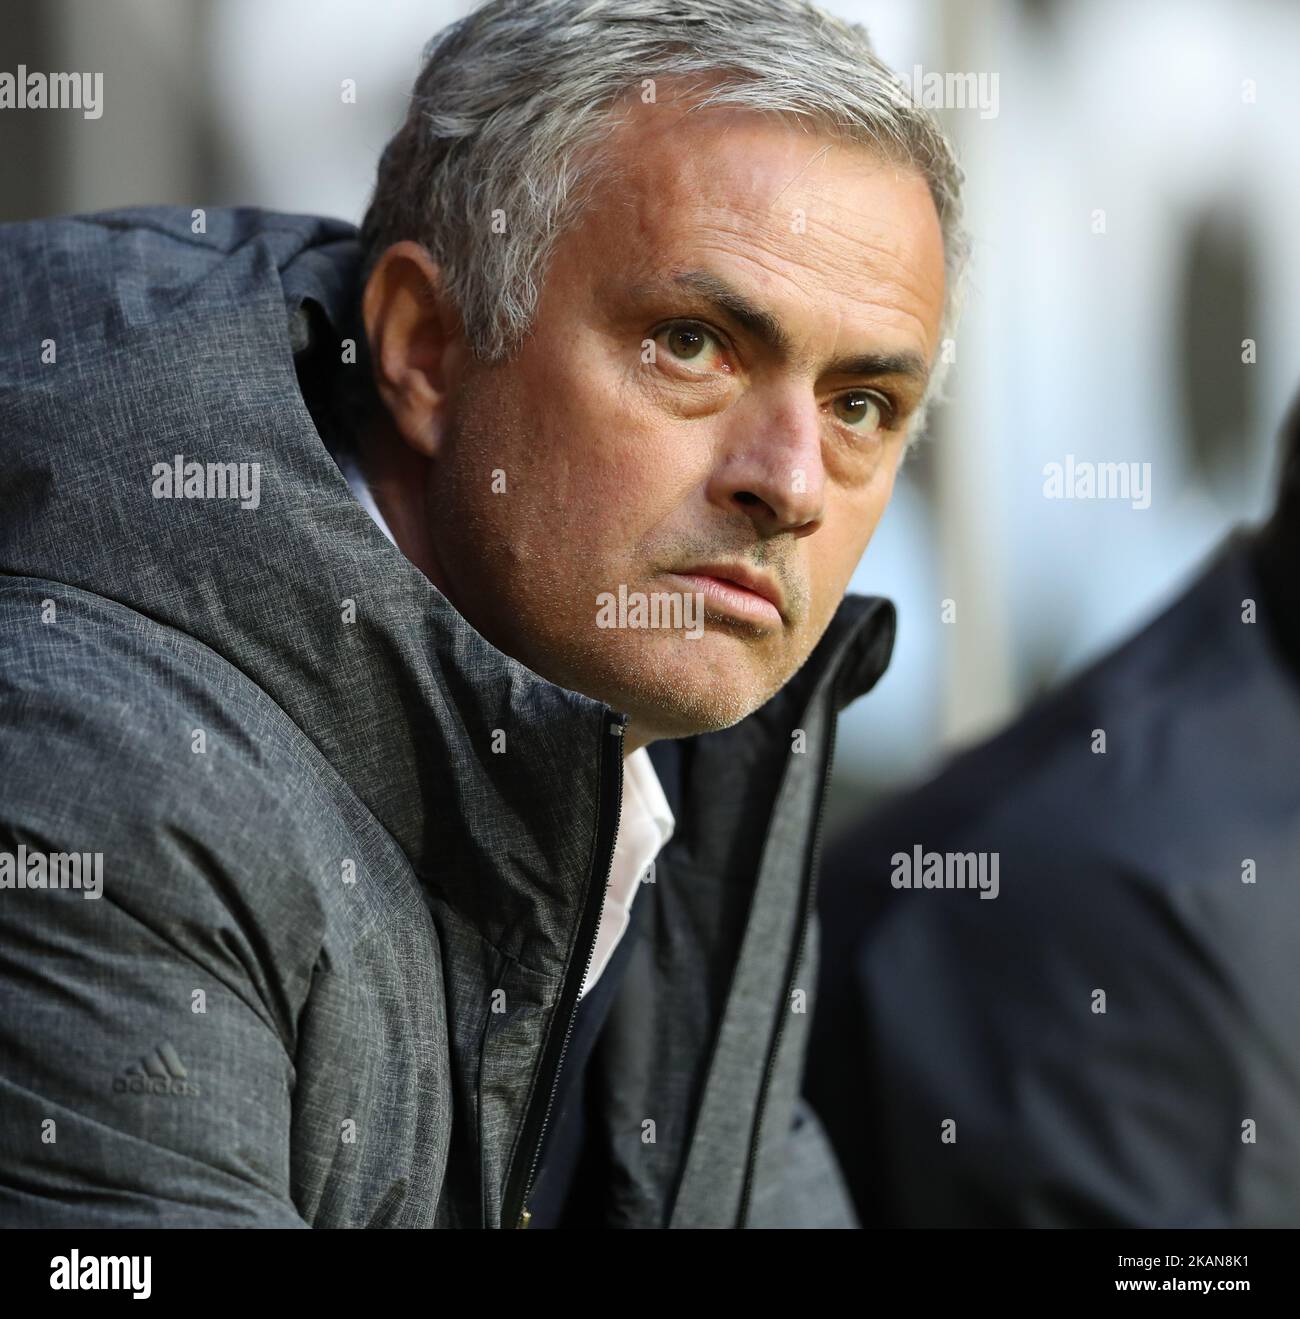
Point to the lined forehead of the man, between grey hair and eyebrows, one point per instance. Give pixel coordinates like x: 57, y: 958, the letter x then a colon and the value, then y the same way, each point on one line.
x: 822, y: 230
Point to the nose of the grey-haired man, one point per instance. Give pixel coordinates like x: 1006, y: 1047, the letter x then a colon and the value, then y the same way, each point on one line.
x: 771, y: 469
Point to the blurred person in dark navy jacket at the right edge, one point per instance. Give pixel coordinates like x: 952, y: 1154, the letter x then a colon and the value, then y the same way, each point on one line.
x: 1112, y: 1040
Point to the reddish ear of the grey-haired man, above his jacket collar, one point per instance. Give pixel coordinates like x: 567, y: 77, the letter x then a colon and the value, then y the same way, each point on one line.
x: 416, y: 344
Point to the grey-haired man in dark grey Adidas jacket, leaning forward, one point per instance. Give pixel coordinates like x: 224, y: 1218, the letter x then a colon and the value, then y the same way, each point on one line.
x: 643, y: 316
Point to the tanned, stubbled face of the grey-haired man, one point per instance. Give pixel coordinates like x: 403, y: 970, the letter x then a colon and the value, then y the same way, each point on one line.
x: 790, y: 292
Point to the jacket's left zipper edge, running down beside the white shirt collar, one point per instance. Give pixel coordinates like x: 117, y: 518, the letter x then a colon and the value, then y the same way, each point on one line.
x: 607, y: 836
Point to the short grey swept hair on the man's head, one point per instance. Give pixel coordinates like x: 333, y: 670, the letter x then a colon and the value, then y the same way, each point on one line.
x: 514, y: 101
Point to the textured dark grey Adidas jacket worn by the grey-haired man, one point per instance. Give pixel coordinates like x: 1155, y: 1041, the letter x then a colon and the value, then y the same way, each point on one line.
x: 369, y: 1051
